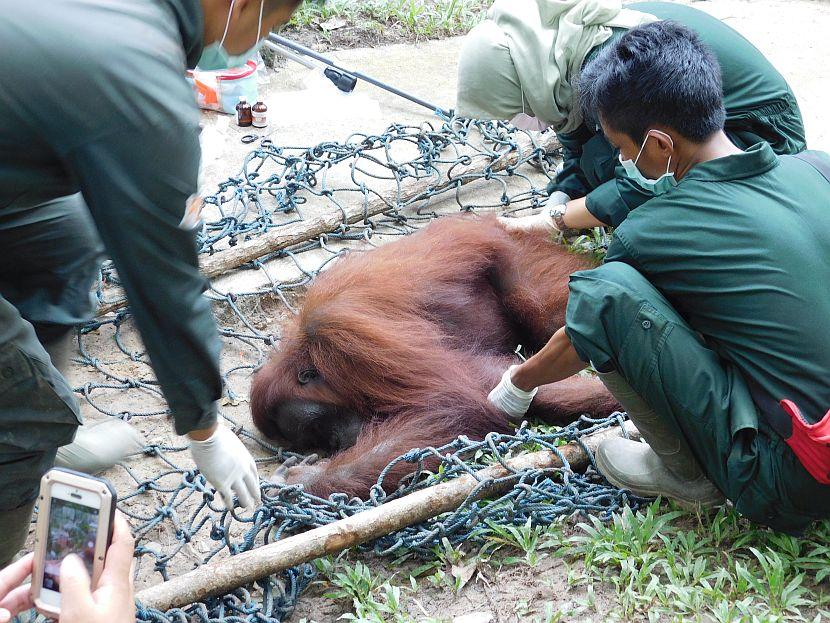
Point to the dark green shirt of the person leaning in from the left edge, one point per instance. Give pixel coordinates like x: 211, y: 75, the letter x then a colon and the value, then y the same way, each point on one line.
x: 93, y: 99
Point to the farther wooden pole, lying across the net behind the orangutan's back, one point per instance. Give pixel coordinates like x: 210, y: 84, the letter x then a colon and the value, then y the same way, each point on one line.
x: 328, y: 221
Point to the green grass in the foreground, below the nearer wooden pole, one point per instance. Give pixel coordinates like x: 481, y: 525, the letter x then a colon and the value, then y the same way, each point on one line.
x: 658, y: 564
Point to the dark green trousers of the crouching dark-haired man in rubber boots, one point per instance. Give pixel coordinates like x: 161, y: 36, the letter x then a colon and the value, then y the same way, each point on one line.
x: 616, y: 318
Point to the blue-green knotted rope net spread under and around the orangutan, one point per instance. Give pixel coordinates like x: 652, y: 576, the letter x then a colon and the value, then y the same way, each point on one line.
x: 178, y: 521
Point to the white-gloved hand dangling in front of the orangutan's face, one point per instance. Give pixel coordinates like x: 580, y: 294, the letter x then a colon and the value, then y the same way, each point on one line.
x: 226, y: 463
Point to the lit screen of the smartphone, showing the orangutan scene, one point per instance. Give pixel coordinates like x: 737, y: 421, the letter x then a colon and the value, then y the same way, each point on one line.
x: 73, y: 529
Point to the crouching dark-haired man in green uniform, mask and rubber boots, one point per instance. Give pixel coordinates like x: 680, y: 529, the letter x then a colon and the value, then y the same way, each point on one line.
x: 708, y: 319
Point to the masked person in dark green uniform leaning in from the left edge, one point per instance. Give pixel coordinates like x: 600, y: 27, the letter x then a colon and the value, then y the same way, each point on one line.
x: 99, y: 151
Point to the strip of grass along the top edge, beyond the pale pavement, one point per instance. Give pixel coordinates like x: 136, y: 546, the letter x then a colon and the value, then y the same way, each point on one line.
x: 419, y: 18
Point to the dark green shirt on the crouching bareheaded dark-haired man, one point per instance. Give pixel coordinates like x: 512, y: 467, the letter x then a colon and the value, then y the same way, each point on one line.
x: 740, y: 248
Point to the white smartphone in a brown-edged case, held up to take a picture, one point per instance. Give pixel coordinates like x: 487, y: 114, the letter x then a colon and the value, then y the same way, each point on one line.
x: 75, y: 516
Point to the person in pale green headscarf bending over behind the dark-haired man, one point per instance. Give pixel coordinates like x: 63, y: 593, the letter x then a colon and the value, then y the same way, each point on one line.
x: 523, y: 63
